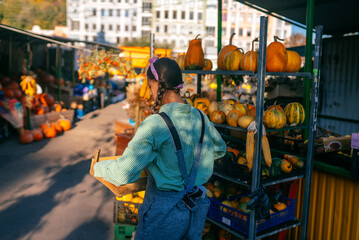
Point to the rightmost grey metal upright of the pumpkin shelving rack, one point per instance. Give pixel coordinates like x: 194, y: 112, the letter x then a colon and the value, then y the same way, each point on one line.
x: 312, y: 129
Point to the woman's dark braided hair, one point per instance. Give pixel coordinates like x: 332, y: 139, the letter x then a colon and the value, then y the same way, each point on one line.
x: 169, y: 76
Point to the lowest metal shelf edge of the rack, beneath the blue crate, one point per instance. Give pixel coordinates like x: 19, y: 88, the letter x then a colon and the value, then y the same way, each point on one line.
x: 268, y: 232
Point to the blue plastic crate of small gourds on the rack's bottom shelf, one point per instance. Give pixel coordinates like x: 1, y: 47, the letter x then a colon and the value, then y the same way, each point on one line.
x: 239, y: 220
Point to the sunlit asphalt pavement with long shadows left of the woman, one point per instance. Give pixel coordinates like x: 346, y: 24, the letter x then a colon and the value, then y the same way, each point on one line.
x: 46, y: 191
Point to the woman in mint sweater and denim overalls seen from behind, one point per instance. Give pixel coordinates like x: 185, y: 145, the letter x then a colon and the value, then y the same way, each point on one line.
x: 177, y: 147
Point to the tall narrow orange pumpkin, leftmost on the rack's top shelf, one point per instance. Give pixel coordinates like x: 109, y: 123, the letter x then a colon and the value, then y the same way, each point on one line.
x: 194, y: 56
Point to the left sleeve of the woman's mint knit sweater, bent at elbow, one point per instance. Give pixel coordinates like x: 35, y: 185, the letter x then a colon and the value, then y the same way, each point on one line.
x: 137, y: 156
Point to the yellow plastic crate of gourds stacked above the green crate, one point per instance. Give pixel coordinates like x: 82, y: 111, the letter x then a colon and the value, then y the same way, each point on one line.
x: 125, y: 213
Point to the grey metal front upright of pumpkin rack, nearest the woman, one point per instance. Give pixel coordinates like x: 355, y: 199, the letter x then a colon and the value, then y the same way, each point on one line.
x: 256, y: 174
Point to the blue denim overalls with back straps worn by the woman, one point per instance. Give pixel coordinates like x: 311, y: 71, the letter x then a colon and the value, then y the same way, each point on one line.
x: 171, y: 215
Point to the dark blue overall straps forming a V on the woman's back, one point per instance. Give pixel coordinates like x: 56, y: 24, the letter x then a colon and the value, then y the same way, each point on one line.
x: 189, y: 181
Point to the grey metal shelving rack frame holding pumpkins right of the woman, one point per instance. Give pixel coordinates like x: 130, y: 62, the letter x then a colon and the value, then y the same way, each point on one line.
x: 256, y: 180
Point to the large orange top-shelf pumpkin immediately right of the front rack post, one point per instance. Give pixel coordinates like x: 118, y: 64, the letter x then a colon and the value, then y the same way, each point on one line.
x: 276, y: 60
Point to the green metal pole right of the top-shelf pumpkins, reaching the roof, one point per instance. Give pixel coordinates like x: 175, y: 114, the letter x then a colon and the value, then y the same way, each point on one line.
x: 308, y: 59
